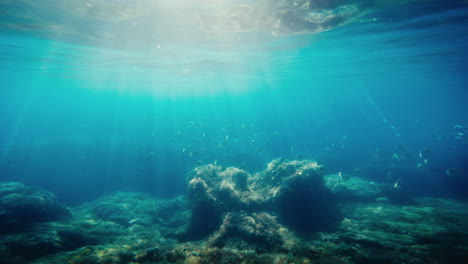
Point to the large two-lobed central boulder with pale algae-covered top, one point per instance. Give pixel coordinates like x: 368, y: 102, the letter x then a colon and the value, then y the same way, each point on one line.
x: 292, y: 190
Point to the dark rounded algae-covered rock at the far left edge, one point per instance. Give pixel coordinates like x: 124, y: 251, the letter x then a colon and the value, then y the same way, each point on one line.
x: 21, y: 206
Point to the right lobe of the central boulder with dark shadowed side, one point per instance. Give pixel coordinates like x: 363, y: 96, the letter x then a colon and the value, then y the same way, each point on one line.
x: 297, y: 191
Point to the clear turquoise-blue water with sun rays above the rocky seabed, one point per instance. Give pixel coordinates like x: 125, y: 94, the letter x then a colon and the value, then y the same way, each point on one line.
x: 83, y: 115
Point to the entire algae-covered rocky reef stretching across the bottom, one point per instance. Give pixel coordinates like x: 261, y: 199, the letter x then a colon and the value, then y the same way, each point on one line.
x: 289, y: 213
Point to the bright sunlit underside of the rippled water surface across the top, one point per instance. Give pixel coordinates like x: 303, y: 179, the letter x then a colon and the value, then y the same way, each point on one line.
x: 145, y: 42
